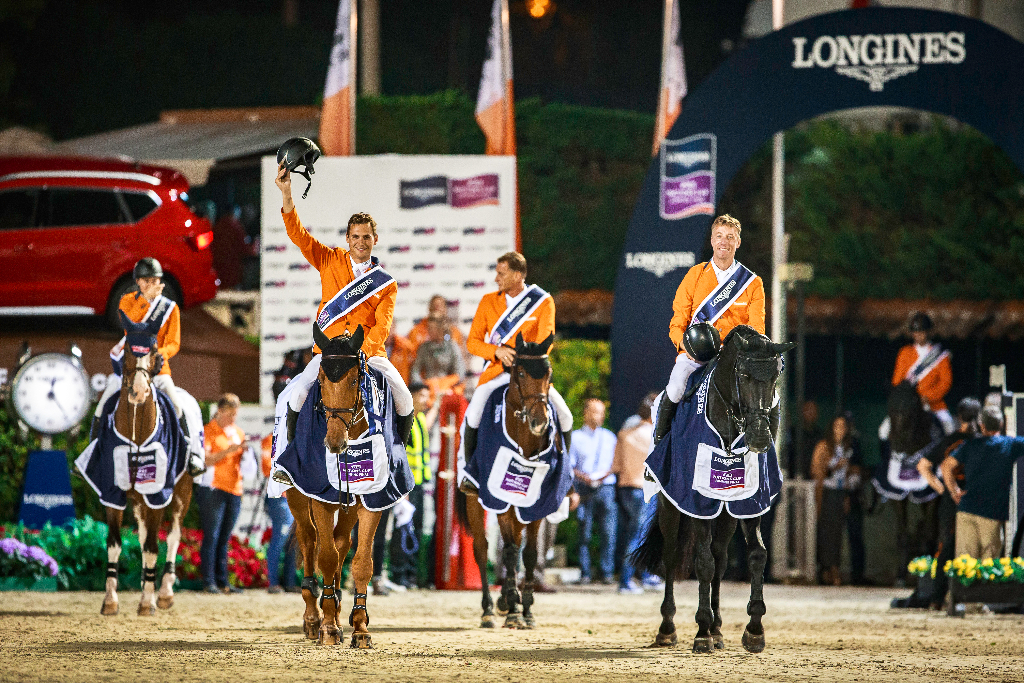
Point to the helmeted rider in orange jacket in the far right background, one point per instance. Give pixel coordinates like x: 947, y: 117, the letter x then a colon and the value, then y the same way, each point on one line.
x: 926, y: 366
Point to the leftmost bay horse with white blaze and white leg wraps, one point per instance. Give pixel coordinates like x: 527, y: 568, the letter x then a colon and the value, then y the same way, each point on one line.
x: 136, y: 418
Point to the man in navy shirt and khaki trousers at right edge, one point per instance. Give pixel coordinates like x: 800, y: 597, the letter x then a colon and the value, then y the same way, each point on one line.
x: 985, y: 506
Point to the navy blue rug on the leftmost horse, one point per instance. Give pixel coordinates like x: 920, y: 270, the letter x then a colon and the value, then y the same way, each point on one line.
x: 110, y: 459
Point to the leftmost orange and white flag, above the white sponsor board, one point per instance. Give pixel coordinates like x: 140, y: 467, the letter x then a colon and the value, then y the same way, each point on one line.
x: 337, y: 136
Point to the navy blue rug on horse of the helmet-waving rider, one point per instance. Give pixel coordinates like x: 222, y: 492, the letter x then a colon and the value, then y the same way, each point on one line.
x: 375, y: 467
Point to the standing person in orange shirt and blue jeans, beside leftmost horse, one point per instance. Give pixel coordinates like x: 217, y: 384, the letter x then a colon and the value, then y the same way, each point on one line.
x: 221, y: 501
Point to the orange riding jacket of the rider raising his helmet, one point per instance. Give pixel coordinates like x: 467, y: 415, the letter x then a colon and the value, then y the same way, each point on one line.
x: 335, y: 268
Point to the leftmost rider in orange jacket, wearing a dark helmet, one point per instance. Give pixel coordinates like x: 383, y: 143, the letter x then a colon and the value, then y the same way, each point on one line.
x: 147, y: 304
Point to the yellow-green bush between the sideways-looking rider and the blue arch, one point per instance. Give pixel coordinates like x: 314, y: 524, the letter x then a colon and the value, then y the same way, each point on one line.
x: 580, y: 371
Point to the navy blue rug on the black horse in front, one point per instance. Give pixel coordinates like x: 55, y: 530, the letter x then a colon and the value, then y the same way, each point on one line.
x: 693, y: 467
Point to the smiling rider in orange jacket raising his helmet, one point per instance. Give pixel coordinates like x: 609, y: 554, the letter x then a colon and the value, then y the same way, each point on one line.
x: 339, y: 268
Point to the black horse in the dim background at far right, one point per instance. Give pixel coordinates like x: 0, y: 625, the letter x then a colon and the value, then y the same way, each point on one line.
x: 912, y: 431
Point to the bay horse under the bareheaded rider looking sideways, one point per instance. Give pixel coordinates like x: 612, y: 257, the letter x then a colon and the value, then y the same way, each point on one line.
x: 527, y: 422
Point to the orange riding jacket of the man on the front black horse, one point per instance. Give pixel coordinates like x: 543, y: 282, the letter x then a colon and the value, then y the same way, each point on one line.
x: 700, y: 281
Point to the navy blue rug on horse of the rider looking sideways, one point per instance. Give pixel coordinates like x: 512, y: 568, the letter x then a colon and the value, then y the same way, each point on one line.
x: 535, y: 488
